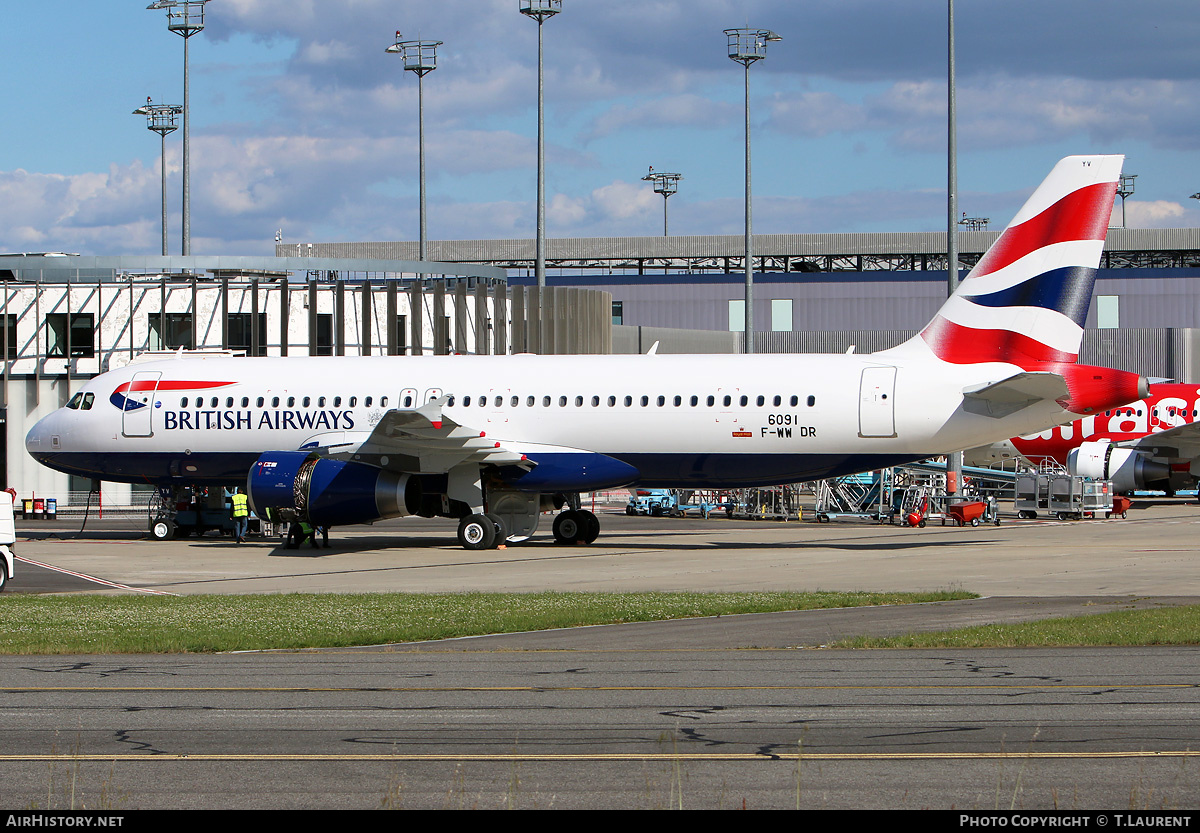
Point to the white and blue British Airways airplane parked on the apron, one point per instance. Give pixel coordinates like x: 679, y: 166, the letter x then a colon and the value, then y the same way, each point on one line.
x: 496, y: 441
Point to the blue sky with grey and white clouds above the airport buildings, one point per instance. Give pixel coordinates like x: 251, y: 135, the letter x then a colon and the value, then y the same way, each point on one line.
x: 302, y: 123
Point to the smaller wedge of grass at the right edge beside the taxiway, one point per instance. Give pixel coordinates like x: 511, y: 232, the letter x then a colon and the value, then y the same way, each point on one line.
x: 1162, y: 626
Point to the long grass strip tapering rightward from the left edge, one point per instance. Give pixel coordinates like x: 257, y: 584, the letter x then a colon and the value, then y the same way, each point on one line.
x: 75, y: 625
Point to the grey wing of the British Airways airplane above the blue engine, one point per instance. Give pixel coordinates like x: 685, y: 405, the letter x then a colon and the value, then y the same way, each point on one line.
x: 427, y: 441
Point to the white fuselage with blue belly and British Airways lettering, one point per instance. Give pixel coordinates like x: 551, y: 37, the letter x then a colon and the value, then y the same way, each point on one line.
x: 688, y: 421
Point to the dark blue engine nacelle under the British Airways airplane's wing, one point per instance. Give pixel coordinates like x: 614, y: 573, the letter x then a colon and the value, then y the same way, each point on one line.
x: 303, y: 487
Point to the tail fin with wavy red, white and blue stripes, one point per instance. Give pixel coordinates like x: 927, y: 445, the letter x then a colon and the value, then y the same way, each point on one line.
x: 1027, y: 302
